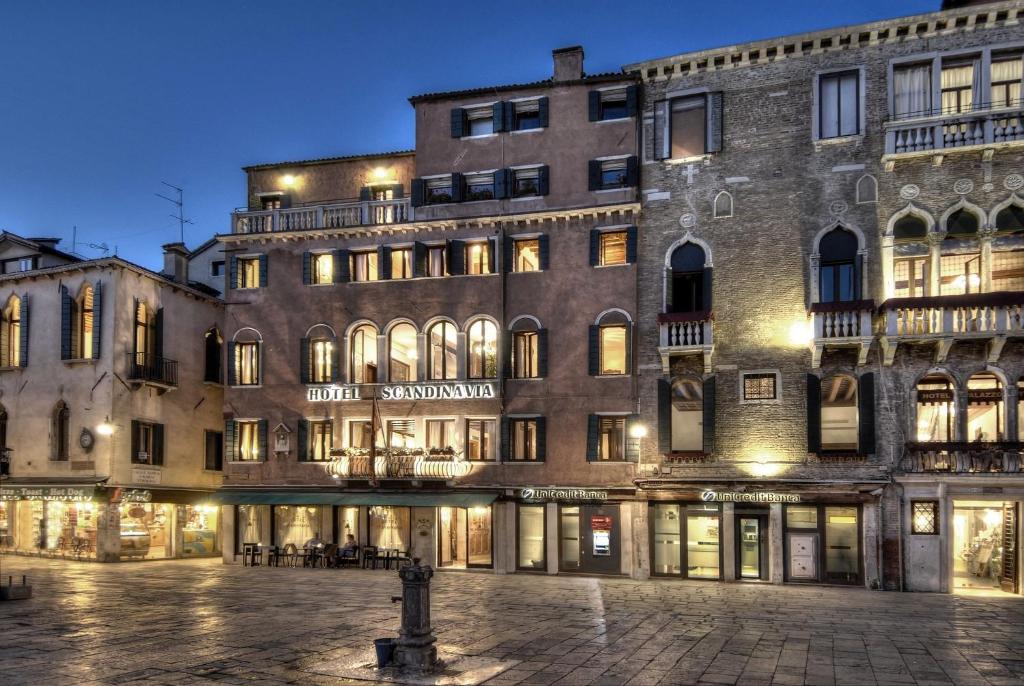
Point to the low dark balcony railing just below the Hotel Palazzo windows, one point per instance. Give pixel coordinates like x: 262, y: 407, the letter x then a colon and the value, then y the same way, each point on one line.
x: 961, y: 458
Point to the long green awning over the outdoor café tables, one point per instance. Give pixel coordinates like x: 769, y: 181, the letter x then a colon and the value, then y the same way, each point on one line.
x: 334, y: 498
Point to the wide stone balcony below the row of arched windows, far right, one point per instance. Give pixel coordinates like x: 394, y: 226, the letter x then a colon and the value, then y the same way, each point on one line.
x: 943, y: 321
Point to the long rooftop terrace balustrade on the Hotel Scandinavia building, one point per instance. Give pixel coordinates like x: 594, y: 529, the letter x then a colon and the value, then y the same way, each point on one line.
x: 324, y: 216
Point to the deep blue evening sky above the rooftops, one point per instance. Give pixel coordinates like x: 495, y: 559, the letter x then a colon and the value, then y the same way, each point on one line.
x: 101, y: 102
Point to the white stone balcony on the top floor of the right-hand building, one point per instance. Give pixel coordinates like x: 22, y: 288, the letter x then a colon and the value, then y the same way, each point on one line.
x: 980, y: 131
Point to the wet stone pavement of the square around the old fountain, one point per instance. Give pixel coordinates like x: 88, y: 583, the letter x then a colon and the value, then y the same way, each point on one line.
x: 199, y: 622
